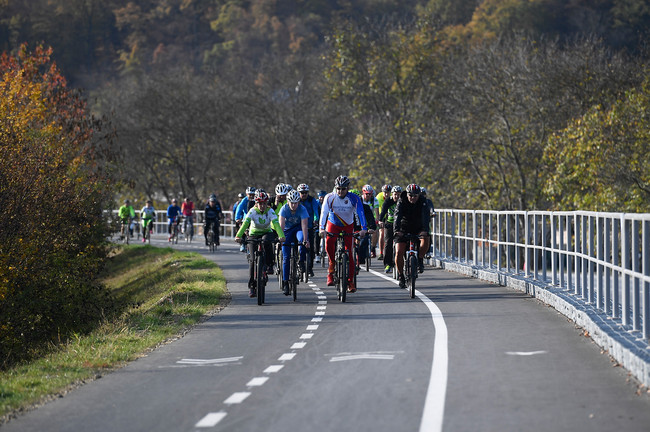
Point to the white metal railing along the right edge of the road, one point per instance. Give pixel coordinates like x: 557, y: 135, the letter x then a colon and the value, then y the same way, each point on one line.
x: 603, y: 259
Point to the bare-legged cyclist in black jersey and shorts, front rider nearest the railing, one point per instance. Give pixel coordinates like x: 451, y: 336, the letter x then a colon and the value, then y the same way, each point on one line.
x: 411, y: 217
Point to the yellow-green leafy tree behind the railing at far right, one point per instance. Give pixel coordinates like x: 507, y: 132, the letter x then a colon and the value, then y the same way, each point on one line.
x: 599, y: 161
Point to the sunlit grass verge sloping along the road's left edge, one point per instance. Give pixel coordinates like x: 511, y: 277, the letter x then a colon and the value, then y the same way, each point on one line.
x: 162, y: 293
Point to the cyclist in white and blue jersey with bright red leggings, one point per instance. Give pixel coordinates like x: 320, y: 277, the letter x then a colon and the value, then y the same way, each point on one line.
x: 337, y: 216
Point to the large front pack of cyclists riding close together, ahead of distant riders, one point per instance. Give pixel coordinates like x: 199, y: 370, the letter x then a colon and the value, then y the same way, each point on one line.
x: 293, y: 215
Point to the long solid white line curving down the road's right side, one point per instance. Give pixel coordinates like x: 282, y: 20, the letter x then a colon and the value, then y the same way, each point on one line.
x: 434, y: 403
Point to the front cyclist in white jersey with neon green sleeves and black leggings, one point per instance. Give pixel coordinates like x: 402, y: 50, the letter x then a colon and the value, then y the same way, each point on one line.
x: 264, y: 224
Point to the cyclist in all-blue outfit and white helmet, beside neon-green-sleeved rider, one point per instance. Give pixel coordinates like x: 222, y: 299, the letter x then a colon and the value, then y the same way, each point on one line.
x: 294, y: 221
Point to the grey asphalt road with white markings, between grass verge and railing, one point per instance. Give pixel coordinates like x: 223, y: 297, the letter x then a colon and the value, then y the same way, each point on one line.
x: 462, y: 356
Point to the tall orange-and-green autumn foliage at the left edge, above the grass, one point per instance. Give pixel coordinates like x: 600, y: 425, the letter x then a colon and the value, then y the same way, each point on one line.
x: 54, y: 186
